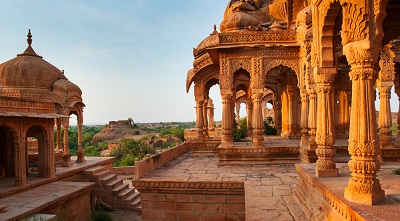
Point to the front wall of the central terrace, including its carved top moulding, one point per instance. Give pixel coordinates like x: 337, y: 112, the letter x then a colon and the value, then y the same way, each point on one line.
x: 191, y: 200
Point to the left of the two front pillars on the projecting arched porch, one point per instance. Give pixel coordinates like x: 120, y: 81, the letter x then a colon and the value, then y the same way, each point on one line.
x: 227, y: 121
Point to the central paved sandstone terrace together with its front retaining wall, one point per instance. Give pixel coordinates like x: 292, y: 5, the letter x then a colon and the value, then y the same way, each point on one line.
x: 197, y: 188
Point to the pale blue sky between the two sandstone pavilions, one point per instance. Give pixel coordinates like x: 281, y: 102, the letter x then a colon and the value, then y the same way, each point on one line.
x: 130, y: 58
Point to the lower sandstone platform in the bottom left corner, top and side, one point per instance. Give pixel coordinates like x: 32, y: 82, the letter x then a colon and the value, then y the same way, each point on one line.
x: 53, y: 198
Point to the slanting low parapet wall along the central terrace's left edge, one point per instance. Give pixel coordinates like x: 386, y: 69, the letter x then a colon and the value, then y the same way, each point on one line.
x: 150, y: 164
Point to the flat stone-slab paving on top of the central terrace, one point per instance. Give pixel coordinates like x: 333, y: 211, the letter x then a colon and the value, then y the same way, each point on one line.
x: 268, y: 189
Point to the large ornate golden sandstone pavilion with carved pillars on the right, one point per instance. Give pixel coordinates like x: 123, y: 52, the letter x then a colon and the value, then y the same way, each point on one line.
x: 320, y: 64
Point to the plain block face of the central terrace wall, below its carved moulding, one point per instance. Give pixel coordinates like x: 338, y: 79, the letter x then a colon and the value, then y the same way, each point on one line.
x: 192, y: 206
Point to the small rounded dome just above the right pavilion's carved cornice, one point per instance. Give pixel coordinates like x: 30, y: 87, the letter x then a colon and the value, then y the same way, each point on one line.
x: 238, y: 21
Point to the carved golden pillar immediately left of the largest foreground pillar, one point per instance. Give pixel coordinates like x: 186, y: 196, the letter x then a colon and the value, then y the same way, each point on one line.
x: 325, y: 136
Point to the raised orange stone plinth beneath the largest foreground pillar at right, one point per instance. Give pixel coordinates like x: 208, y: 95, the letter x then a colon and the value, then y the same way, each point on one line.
x: 323, y: 198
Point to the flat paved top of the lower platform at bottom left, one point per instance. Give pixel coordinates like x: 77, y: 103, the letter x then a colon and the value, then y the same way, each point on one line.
x: 29, y: 201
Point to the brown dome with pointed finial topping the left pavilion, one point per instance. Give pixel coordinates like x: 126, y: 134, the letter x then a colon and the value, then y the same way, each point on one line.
x: 29, y: 70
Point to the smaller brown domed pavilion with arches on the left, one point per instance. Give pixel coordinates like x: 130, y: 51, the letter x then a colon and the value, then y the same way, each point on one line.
x: 34, y: 97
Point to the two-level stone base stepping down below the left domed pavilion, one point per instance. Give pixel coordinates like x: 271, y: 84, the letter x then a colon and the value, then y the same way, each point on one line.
x: 51, y: 195
